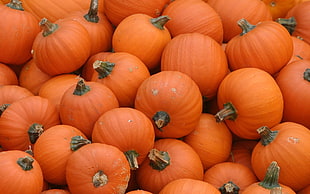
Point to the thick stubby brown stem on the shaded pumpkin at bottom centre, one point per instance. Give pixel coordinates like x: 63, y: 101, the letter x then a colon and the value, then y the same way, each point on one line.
x: 159, y: 160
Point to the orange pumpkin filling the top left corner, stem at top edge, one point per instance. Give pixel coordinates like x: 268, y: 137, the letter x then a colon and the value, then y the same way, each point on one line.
x: 16, y: 37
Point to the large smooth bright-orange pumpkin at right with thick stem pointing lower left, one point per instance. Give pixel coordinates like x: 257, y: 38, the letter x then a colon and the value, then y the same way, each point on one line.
x: 252, y: 107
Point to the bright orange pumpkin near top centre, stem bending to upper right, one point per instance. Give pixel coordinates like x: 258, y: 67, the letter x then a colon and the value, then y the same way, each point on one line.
x: 127, y: 37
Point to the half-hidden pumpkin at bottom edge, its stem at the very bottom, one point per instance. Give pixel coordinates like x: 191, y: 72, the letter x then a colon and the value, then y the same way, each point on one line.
x: 223, y: 177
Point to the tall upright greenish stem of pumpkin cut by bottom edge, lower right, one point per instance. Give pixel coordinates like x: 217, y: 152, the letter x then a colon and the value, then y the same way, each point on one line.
x: 271, y: 179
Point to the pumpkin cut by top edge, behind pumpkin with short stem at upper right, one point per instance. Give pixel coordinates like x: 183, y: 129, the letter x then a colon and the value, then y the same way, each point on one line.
x: 230, y: 11
